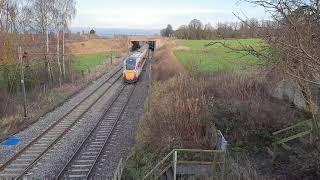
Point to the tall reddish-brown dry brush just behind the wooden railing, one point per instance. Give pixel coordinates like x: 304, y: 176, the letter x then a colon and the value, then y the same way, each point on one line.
x: 178, y: 115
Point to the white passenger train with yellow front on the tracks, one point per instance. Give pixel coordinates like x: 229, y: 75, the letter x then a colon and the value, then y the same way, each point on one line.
x: 134, y: 64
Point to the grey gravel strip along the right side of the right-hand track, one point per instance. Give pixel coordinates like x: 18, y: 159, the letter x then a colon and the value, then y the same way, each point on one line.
x: 123, y: 138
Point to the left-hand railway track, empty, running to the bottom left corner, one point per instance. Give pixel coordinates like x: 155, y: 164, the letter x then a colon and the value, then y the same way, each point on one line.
x: 27, y: 157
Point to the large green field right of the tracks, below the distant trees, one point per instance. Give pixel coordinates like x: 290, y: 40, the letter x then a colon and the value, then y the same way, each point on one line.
x: 196, y: 57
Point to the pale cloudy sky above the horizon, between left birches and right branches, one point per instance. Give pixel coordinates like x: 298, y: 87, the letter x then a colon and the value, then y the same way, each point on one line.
x: 151, y: 14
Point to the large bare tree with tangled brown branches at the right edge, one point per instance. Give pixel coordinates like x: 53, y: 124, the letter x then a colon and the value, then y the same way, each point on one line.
x: 295, y: 40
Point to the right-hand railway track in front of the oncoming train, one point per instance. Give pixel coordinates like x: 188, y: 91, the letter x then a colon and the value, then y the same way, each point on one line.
x: 84, y: 161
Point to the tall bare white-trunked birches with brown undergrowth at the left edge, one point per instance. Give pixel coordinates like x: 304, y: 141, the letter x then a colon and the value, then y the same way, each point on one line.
x: 45, y: 23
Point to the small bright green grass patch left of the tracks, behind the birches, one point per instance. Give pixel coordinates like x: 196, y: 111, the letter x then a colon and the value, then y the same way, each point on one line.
x: 89, y: 61
